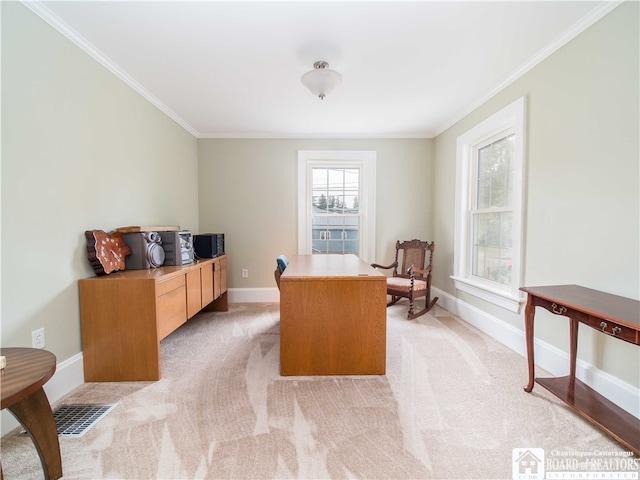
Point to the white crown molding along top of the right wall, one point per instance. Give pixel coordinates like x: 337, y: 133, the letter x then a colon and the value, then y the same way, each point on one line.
x: 592, y: 17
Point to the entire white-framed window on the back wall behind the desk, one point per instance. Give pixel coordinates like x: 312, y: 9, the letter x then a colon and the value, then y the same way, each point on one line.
x: 336, y: 202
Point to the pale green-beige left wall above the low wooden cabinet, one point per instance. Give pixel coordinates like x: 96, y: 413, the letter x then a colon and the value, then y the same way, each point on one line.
x: 80, y: 151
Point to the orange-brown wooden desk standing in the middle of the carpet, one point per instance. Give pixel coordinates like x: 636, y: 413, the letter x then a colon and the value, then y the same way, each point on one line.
x: 333, y: 318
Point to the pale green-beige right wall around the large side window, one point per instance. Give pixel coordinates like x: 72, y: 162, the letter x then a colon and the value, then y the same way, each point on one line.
x: 582, y: 180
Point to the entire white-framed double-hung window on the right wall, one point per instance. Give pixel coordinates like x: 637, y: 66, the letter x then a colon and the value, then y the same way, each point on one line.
x: 489, y: 208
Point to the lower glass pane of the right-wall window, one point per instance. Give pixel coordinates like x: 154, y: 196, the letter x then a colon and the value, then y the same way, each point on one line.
x: 491, y: 249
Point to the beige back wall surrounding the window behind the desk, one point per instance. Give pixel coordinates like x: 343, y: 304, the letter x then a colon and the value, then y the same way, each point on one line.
x: 248, y: 191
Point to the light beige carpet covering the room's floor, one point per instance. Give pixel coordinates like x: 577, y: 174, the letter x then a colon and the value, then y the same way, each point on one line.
x: 451, y: 406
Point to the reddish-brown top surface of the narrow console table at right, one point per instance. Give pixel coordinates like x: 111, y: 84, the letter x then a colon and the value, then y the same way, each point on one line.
x: 599, y: 304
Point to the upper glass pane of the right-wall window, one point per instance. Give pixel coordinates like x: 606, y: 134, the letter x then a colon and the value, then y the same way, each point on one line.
x: 495, y: 174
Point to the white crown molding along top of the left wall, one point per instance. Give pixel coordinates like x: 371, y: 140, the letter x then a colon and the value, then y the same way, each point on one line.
x: 48, y: 16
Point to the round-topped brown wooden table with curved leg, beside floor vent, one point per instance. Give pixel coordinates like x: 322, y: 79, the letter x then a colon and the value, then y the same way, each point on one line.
x: 27, y: 370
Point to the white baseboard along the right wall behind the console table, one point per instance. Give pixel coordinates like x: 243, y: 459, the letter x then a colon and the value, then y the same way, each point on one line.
x: 547, y: 357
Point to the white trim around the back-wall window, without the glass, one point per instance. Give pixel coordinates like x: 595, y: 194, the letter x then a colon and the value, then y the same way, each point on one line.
x: 365, y: 160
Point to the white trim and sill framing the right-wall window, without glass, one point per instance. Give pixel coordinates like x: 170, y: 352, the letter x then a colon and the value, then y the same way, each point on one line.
x: 507, y: 296
